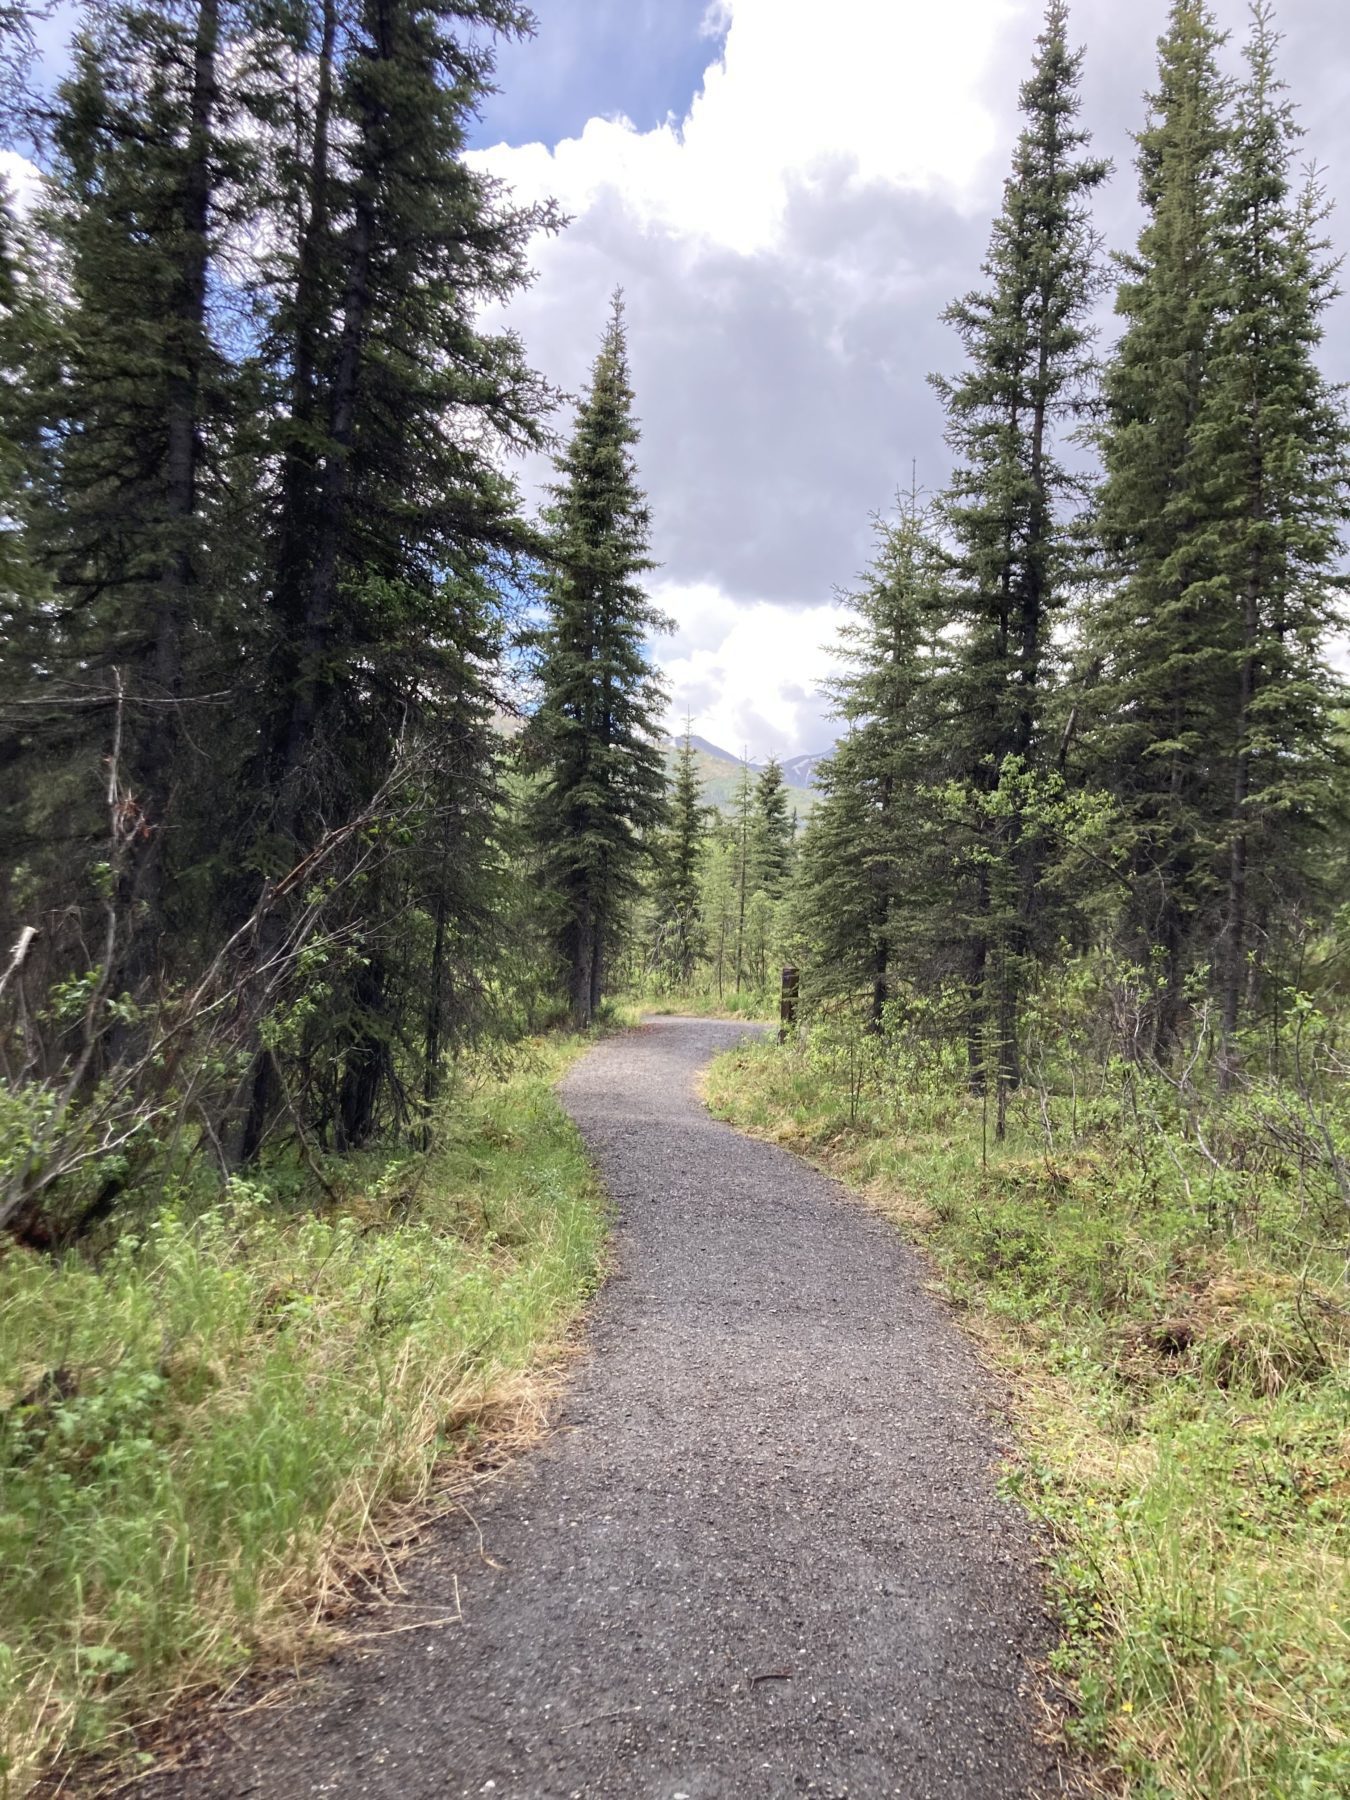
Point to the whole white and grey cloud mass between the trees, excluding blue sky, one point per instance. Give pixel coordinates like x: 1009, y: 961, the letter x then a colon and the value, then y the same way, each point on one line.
x: 759, y: 246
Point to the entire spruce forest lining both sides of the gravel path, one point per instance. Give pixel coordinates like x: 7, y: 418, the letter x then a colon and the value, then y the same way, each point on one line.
x: 330, y: 769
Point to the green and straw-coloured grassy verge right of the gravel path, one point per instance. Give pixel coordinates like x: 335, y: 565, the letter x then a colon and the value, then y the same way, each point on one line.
x: 1180, y: 1363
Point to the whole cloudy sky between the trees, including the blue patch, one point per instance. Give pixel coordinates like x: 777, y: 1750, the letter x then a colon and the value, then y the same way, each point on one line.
x: 789, y: 193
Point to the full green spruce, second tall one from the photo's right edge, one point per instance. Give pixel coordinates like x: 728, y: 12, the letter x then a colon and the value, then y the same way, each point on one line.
x: 1158, y: 633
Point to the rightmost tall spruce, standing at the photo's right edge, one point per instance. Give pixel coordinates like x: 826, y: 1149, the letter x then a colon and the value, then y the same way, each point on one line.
x: 1275, y: 447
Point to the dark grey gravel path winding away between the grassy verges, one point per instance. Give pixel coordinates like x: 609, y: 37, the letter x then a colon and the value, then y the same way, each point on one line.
x: 764, y: 1554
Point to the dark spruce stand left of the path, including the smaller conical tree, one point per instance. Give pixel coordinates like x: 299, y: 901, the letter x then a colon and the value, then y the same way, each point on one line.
x: 269, y: 865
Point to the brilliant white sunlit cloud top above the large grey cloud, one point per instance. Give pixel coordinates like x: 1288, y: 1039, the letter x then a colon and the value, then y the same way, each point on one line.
x: 895, y: 89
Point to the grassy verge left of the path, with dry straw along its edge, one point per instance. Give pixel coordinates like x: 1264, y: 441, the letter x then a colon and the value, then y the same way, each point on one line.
x: 210, y: 1428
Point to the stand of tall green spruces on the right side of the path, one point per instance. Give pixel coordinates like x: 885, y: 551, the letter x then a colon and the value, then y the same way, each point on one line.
x: 1090, y: 708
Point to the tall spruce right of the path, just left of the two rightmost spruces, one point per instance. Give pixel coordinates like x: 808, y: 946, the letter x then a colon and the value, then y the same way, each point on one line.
x: 1011, y: 501
